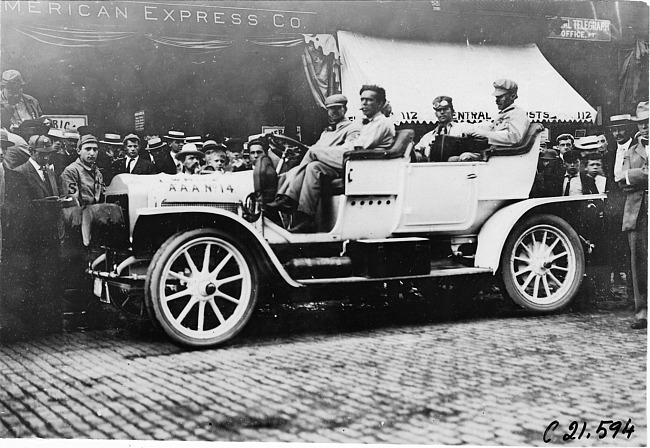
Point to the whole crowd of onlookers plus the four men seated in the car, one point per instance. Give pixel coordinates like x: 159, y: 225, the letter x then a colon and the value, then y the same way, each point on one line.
x: 46, y: 173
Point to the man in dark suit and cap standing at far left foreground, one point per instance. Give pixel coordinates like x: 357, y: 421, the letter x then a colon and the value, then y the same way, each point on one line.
x: 32, y: 302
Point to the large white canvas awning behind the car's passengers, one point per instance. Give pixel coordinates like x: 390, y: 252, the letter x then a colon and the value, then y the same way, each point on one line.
x: 414, y: 73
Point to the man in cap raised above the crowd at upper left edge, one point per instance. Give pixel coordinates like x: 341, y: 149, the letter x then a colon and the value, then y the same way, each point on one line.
x: 14, y: 103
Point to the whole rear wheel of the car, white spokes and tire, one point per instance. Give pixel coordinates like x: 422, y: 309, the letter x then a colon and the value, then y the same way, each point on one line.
x: 543, y: 263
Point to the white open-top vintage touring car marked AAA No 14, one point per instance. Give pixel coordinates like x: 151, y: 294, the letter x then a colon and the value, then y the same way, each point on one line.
x: 196, y: 254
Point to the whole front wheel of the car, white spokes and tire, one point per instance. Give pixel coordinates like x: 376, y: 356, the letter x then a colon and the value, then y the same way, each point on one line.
x: 202, y: 287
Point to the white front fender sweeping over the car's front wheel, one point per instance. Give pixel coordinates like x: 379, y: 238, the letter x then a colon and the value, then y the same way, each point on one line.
x: 144, y: 214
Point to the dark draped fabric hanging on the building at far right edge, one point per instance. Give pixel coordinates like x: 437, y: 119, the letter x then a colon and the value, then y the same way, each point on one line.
x: 633, y: 77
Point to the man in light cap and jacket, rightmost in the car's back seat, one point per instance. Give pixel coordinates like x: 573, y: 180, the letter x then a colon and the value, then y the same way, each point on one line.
x: 510, y: 126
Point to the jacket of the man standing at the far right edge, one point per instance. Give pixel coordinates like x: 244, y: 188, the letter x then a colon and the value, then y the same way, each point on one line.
x: 635, y: 166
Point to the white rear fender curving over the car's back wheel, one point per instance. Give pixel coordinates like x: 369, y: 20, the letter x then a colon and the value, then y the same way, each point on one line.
x: 495, y: 231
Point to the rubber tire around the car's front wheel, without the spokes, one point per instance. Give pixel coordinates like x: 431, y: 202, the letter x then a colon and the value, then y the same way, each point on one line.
x: 155, y: 271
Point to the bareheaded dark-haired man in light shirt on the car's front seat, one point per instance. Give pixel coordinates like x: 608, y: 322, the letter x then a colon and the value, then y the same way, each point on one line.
x: 303, y: 192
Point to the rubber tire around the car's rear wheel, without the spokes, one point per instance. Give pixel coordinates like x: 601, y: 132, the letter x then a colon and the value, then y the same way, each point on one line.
x: 561, y: 226
